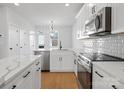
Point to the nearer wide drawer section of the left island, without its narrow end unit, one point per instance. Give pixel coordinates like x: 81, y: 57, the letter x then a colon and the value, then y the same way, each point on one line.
x: 22, y: 81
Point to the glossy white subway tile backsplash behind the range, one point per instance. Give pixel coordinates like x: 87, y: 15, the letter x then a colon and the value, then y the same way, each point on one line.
x: 112, y: 45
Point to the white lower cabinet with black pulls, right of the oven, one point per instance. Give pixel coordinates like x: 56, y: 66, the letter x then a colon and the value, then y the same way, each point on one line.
x: 104, y: 80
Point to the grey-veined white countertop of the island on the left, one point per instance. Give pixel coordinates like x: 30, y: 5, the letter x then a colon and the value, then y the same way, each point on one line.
x: 10, y: 66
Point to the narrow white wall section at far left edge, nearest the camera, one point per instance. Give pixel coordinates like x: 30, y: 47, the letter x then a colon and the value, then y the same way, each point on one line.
x: 4, y: 32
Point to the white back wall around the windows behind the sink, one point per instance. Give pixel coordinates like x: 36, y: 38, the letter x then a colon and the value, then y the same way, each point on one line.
x: 65, y: 35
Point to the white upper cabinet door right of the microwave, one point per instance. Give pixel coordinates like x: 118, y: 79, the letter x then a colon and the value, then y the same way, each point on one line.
x: 118, y: 20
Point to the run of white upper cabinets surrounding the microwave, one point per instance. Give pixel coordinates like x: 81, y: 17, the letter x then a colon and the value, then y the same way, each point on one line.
x: 88, y: 10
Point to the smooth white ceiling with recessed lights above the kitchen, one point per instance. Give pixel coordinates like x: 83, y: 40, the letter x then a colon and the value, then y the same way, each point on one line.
x: 42, y: 13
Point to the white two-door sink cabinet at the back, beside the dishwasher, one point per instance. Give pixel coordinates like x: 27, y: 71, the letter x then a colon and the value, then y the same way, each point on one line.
x: 61, y: 61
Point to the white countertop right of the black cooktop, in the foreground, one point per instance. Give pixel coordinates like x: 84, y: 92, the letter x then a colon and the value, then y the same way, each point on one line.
x: 116, y: 69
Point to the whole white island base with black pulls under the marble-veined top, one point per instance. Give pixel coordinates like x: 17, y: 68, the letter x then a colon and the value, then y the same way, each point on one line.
x: 29, y: 79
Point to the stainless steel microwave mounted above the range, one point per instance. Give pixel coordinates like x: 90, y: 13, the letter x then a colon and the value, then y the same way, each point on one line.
x: 100, y: 23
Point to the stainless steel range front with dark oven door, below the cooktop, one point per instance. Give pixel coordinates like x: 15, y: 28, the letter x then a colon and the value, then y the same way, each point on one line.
x: 84, y: 72
